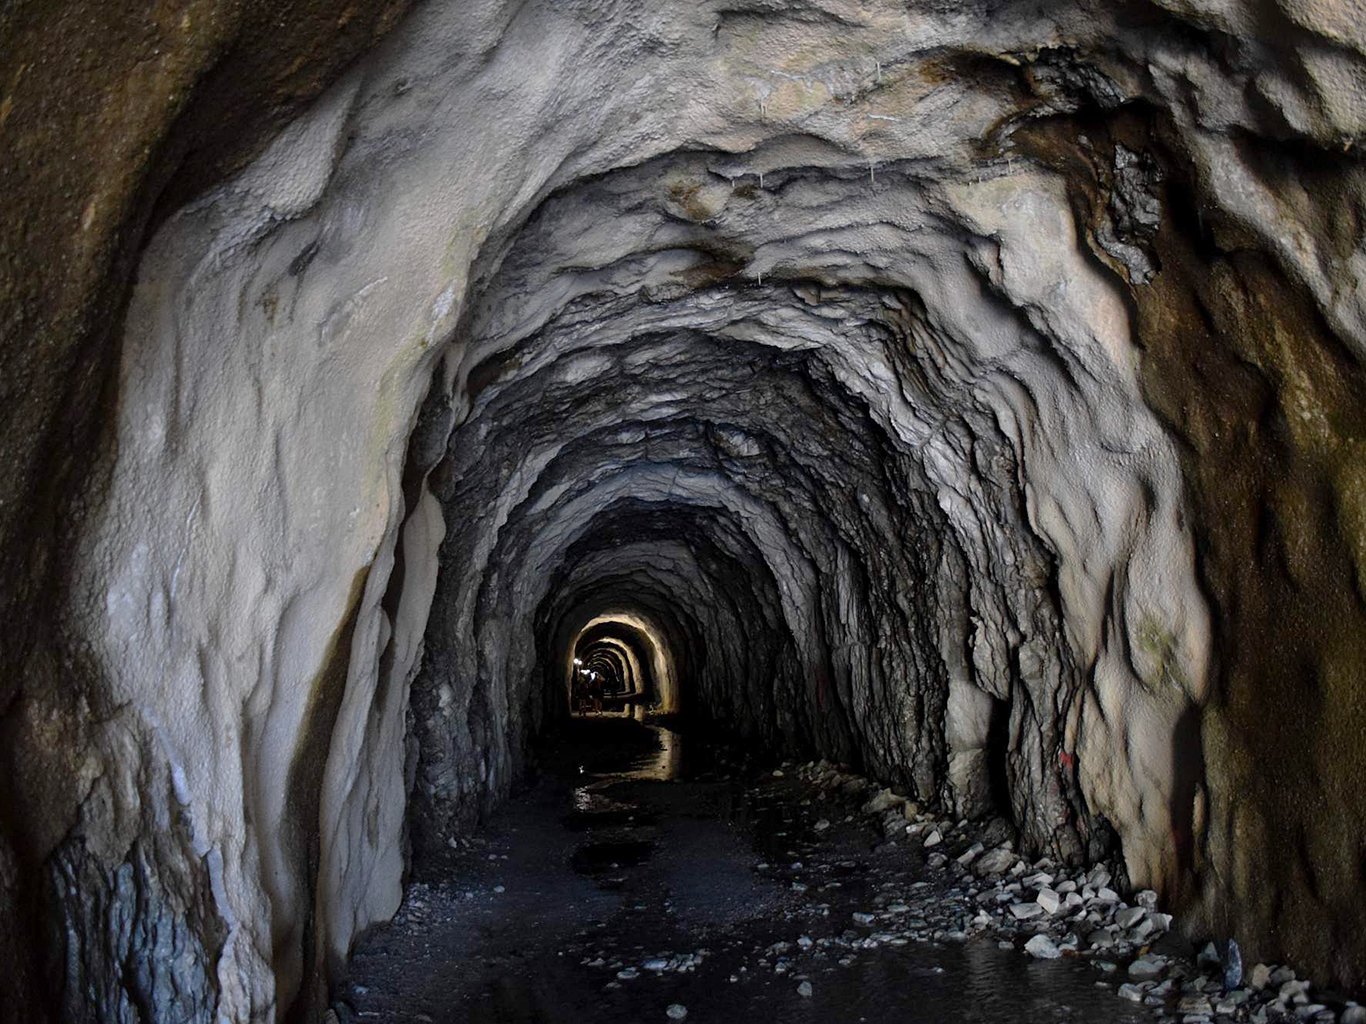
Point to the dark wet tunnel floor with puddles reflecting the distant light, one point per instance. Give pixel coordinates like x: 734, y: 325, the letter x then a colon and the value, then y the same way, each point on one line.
x: 633, y: 879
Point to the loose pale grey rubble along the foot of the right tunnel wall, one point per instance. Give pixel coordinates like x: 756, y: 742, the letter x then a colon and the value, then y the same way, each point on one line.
x: 1053, y: 911
